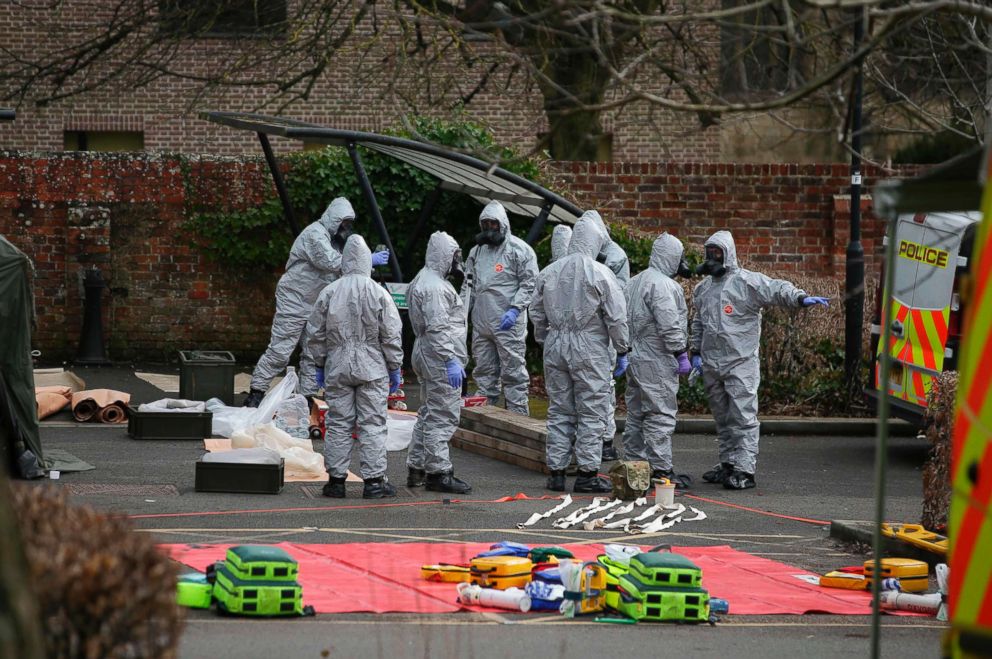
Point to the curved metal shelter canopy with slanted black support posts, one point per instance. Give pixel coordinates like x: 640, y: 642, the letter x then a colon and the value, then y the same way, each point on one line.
x: 456, y: 172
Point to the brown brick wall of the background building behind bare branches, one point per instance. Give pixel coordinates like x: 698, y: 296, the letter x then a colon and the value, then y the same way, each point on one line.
x: 359, y: 91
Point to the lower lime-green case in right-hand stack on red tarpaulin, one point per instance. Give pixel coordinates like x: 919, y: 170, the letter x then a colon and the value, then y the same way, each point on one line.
x: 642, y: 601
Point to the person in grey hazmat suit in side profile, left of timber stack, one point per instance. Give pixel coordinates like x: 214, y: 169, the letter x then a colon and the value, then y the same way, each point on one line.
x: 439, y: 357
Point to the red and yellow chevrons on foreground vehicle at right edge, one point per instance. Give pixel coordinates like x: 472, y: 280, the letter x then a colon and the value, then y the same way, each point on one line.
x: 970, y: 522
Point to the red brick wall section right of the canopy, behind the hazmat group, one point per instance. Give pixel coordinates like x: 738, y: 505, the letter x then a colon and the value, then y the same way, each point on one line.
x: 785, y: 218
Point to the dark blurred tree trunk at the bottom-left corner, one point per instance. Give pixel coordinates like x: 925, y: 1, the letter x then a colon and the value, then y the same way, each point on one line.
x: 20, y: 632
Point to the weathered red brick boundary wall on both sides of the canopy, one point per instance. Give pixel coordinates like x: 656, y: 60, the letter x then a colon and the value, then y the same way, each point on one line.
x: 125, y: 213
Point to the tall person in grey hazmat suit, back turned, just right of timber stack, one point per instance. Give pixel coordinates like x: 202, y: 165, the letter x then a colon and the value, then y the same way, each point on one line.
x: 579, y: 313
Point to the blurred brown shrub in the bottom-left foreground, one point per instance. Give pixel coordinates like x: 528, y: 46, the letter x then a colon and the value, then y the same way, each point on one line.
x: 102, y: 589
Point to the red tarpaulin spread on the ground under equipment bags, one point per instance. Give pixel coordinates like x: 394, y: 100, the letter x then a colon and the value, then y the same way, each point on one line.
x: 384, y: 577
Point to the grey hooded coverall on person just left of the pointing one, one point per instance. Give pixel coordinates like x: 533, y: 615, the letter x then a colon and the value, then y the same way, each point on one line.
x: 657, y: 315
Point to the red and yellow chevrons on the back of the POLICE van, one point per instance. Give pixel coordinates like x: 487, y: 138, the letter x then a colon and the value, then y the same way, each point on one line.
x: 922, y: 344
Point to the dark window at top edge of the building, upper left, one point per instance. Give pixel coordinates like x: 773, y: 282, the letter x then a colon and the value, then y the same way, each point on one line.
x: 223, y: 18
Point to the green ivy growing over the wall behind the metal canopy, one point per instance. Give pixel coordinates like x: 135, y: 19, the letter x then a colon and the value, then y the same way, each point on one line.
x: 256, y: 241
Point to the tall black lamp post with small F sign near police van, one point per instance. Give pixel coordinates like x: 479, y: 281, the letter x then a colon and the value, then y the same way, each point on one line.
x: 854, y: 288
